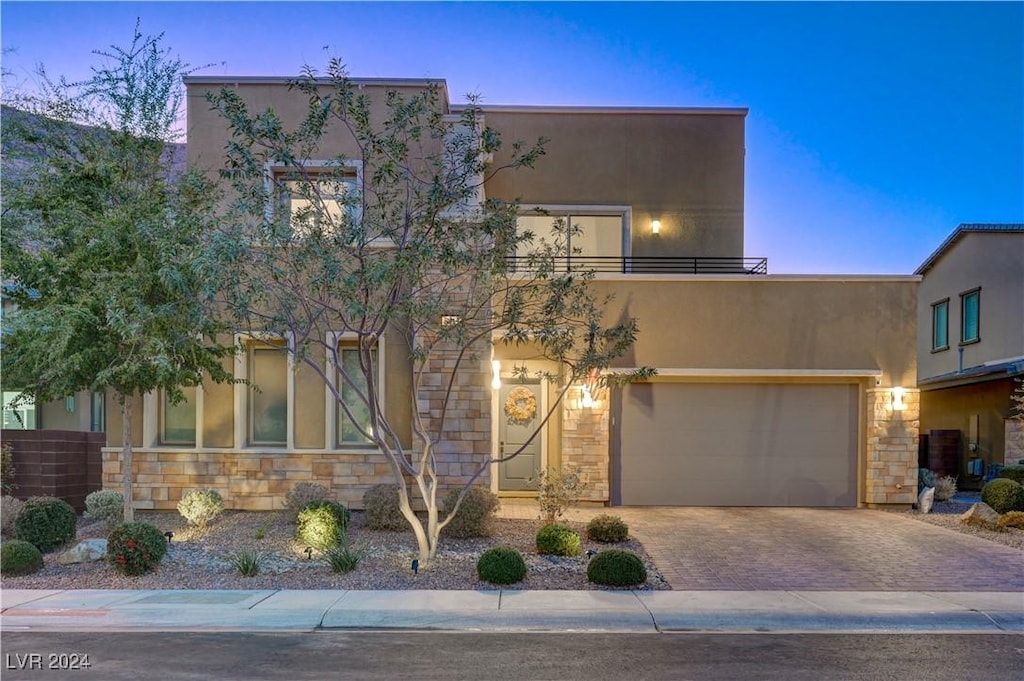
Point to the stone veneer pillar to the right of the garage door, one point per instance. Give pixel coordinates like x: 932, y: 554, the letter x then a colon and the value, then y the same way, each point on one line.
x: 891, y: 476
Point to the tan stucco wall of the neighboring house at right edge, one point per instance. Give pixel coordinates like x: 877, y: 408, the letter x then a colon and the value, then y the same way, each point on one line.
x: 994, y: 262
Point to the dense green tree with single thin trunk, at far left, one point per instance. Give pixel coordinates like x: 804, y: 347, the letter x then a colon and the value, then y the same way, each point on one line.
x: 101, y: 240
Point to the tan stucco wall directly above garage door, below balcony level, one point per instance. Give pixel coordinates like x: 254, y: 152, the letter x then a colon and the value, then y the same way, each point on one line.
x: 772, y: 324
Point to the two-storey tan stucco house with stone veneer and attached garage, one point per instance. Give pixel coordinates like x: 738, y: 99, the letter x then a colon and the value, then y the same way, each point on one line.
x: 773, y: 391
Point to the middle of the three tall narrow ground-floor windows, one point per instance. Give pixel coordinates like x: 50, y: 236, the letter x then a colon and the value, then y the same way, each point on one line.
x: 268, y: 394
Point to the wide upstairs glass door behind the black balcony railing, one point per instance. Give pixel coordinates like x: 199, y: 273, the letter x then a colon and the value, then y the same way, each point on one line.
x: 594, y: 237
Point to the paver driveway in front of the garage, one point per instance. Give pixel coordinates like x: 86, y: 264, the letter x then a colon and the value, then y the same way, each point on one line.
x: 772, y: 549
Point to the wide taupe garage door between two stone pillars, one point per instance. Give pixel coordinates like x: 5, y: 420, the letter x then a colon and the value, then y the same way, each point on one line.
x: 737, y: 445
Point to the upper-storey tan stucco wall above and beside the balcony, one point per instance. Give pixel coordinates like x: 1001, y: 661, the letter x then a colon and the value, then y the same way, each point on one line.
x: 682, y: 168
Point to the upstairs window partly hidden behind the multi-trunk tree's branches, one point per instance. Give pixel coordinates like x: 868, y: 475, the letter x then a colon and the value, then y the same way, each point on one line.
x: 320, y: 198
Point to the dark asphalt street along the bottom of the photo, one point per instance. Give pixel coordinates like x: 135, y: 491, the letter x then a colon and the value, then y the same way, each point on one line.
x: 495, y: 657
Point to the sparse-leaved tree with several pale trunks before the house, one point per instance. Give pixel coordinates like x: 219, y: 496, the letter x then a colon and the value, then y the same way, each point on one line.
x: 311, y: 252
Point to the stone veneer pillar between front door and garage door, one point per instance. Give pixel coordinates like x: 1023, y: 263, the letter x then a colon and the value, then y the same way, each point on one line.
x: 585, y: 444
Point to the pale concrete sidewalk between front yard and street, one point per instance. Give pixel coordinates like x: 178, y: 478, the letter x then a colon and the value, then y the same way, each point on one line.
x: 510, y: 611
